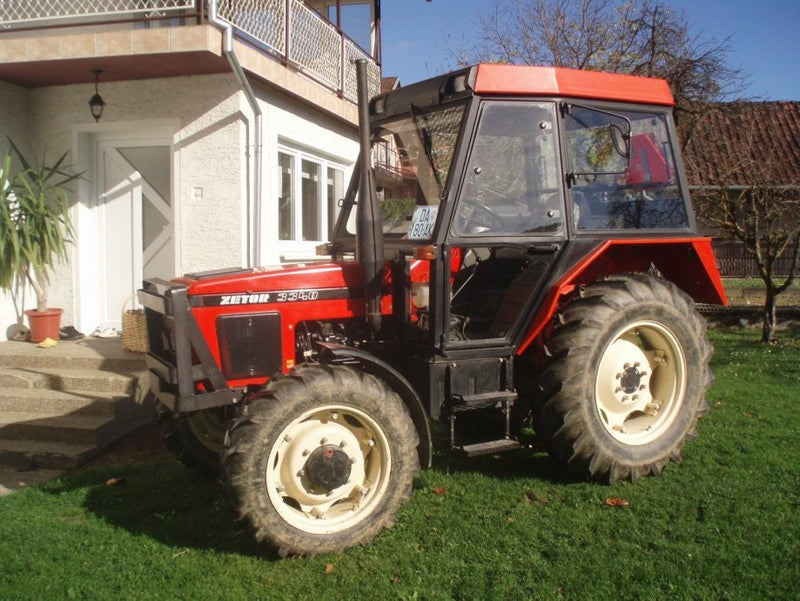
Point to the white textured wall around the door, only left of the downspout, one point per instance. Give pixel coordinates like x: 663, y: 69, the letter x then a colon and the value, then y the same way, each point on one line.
x: 208, y: 163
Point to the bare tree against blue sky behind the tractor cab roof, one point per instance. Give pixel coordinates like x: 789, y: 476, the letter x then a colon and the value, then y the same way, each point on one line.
x: 638, y: 37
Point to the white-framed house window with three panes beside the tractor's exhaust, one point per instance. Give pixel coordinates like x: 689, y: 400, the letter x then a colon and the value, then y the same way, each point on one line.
x: 308, y: 202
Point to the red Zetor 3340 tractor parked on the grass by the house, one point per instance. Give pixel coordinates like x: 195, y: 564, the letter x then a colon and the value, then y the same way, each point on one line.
x: 522, y: 251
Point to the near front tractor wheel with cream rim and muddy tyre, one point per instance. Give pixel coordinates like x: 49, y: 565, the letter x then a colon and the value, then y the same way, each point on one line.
x: 321, y: 461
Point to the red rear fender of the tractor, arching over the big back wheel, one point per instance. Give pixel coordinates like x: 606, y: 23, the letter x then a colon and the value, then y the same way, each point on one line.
x: 688, y: 263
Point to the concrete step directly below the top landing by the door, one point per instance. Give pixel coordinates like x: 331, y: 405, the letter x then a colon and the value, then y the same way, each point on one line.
x: 74, y: 380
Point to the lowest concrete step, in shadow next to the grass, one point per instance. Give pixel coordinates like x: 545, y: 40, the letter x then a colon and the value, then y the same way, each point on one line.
x: 44, y: 455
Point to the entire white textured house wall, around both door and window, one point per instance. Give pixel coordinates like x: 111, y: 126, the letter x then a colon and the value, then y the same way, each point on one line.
x: 213, y: 135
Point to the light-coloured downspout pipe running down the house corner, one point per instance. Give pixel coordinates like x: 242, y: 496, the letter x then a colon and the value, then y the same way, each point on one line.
x: 255, y: 200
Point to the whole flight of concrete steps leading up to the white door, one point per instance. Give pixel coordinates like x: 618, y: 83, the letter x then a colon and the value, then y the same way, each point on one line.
x: 63, y: 405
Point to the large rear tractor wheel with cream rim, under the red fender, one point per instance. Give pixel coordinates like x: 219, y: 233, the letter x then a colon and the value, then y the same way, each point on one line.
x: 627, y: 381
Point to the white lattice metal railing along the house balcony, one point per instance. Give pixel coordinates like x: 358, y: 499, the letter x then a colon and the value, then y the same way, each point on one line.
x: 287, y: 29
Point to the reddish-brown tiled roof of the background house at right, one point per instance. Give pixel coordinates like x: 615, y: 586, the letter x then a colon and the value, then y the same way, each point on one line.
x: 728, y: 143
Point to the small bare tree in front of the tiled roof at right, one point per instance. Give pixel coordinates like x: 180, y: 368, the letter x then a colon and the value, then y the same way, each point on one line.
x: 750, y: 189
